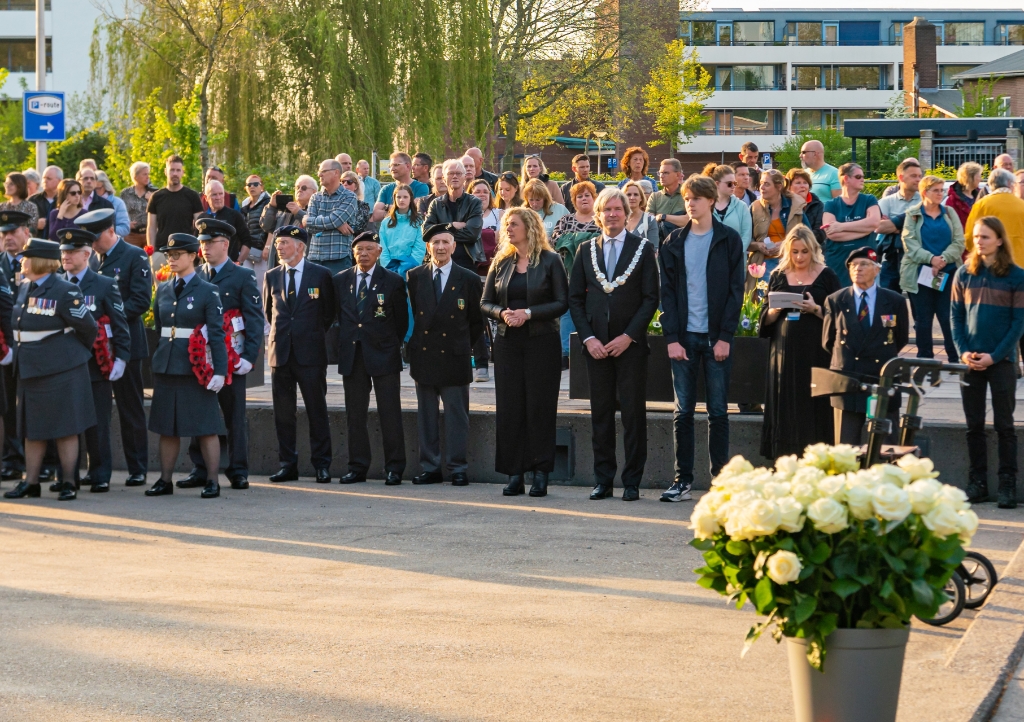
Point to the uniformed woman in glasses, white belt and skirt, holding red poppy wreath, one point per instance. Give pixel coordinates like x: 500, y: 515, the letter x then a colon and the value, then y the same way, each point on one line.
x: 184, y: 406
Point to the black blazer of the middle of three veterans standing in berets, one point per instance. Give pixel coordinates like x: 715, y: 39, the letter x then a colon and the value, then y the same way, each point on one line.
x: 380, y: 322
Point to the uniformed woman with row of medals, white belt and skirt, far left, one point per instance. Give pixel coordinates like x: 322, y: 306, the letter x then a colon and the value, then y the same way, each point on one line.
x: 54, y: 334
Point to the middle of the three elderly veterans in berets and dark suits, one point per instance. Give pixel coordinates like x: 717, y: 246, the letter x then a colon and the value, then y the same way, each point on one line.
x: 373, y: 319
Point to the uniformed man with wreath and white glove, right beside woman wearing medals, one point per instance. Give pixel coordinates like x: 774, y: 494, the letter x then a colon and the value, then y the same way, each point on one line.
x: 110, y: 354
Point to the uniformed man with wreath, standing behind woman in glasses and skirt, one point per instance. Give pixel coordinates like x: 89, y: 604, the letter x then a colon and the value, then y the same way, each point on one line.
x: 244, y: 328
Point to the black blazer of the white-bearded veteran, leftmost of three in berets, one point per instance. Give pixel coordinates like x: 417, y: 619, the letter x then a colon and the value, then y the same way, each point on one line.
x: 303, y: 330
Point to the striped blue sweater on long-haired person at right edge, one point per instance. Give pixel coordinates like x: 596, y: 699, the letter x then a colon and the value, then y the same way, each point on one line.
x: 988, y: 312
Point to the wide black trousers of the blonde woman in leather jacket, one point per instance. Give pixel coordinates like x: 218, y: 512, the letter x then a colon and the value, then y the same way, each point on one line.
x: 528, y: 375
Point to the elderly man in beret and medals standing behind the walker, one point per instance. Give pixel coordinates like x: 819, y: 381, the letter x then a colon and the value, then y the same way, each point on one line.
x: 865, y: 326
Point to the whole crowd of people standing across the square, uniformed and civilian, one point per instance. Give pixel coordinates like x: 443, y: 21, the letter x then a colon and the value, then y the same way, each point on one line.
x: 449, y: 269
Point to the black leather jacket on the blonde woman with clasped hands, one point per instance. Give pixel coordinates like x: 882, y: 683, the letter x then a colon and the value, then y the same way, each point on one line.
x: 547, y: 293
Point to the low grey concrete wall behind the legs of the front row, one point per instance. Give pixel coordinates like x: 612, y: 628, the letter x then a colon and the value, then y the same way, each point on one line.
x: 944, y: 442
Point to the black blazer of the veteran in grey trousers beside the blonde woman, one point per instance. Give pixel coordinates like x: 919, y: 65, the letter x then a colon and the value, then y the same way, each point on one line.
x: 444, y: 332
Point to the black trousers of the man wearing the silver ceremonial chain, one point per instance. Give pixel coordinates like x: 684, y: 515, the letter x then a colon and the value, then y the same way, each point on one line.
x: 623, y: 379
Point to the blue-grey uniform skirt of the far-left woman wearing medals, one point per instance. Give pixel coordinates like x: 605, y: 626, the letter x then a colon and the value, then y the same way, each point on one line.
x: 56, y: 406
